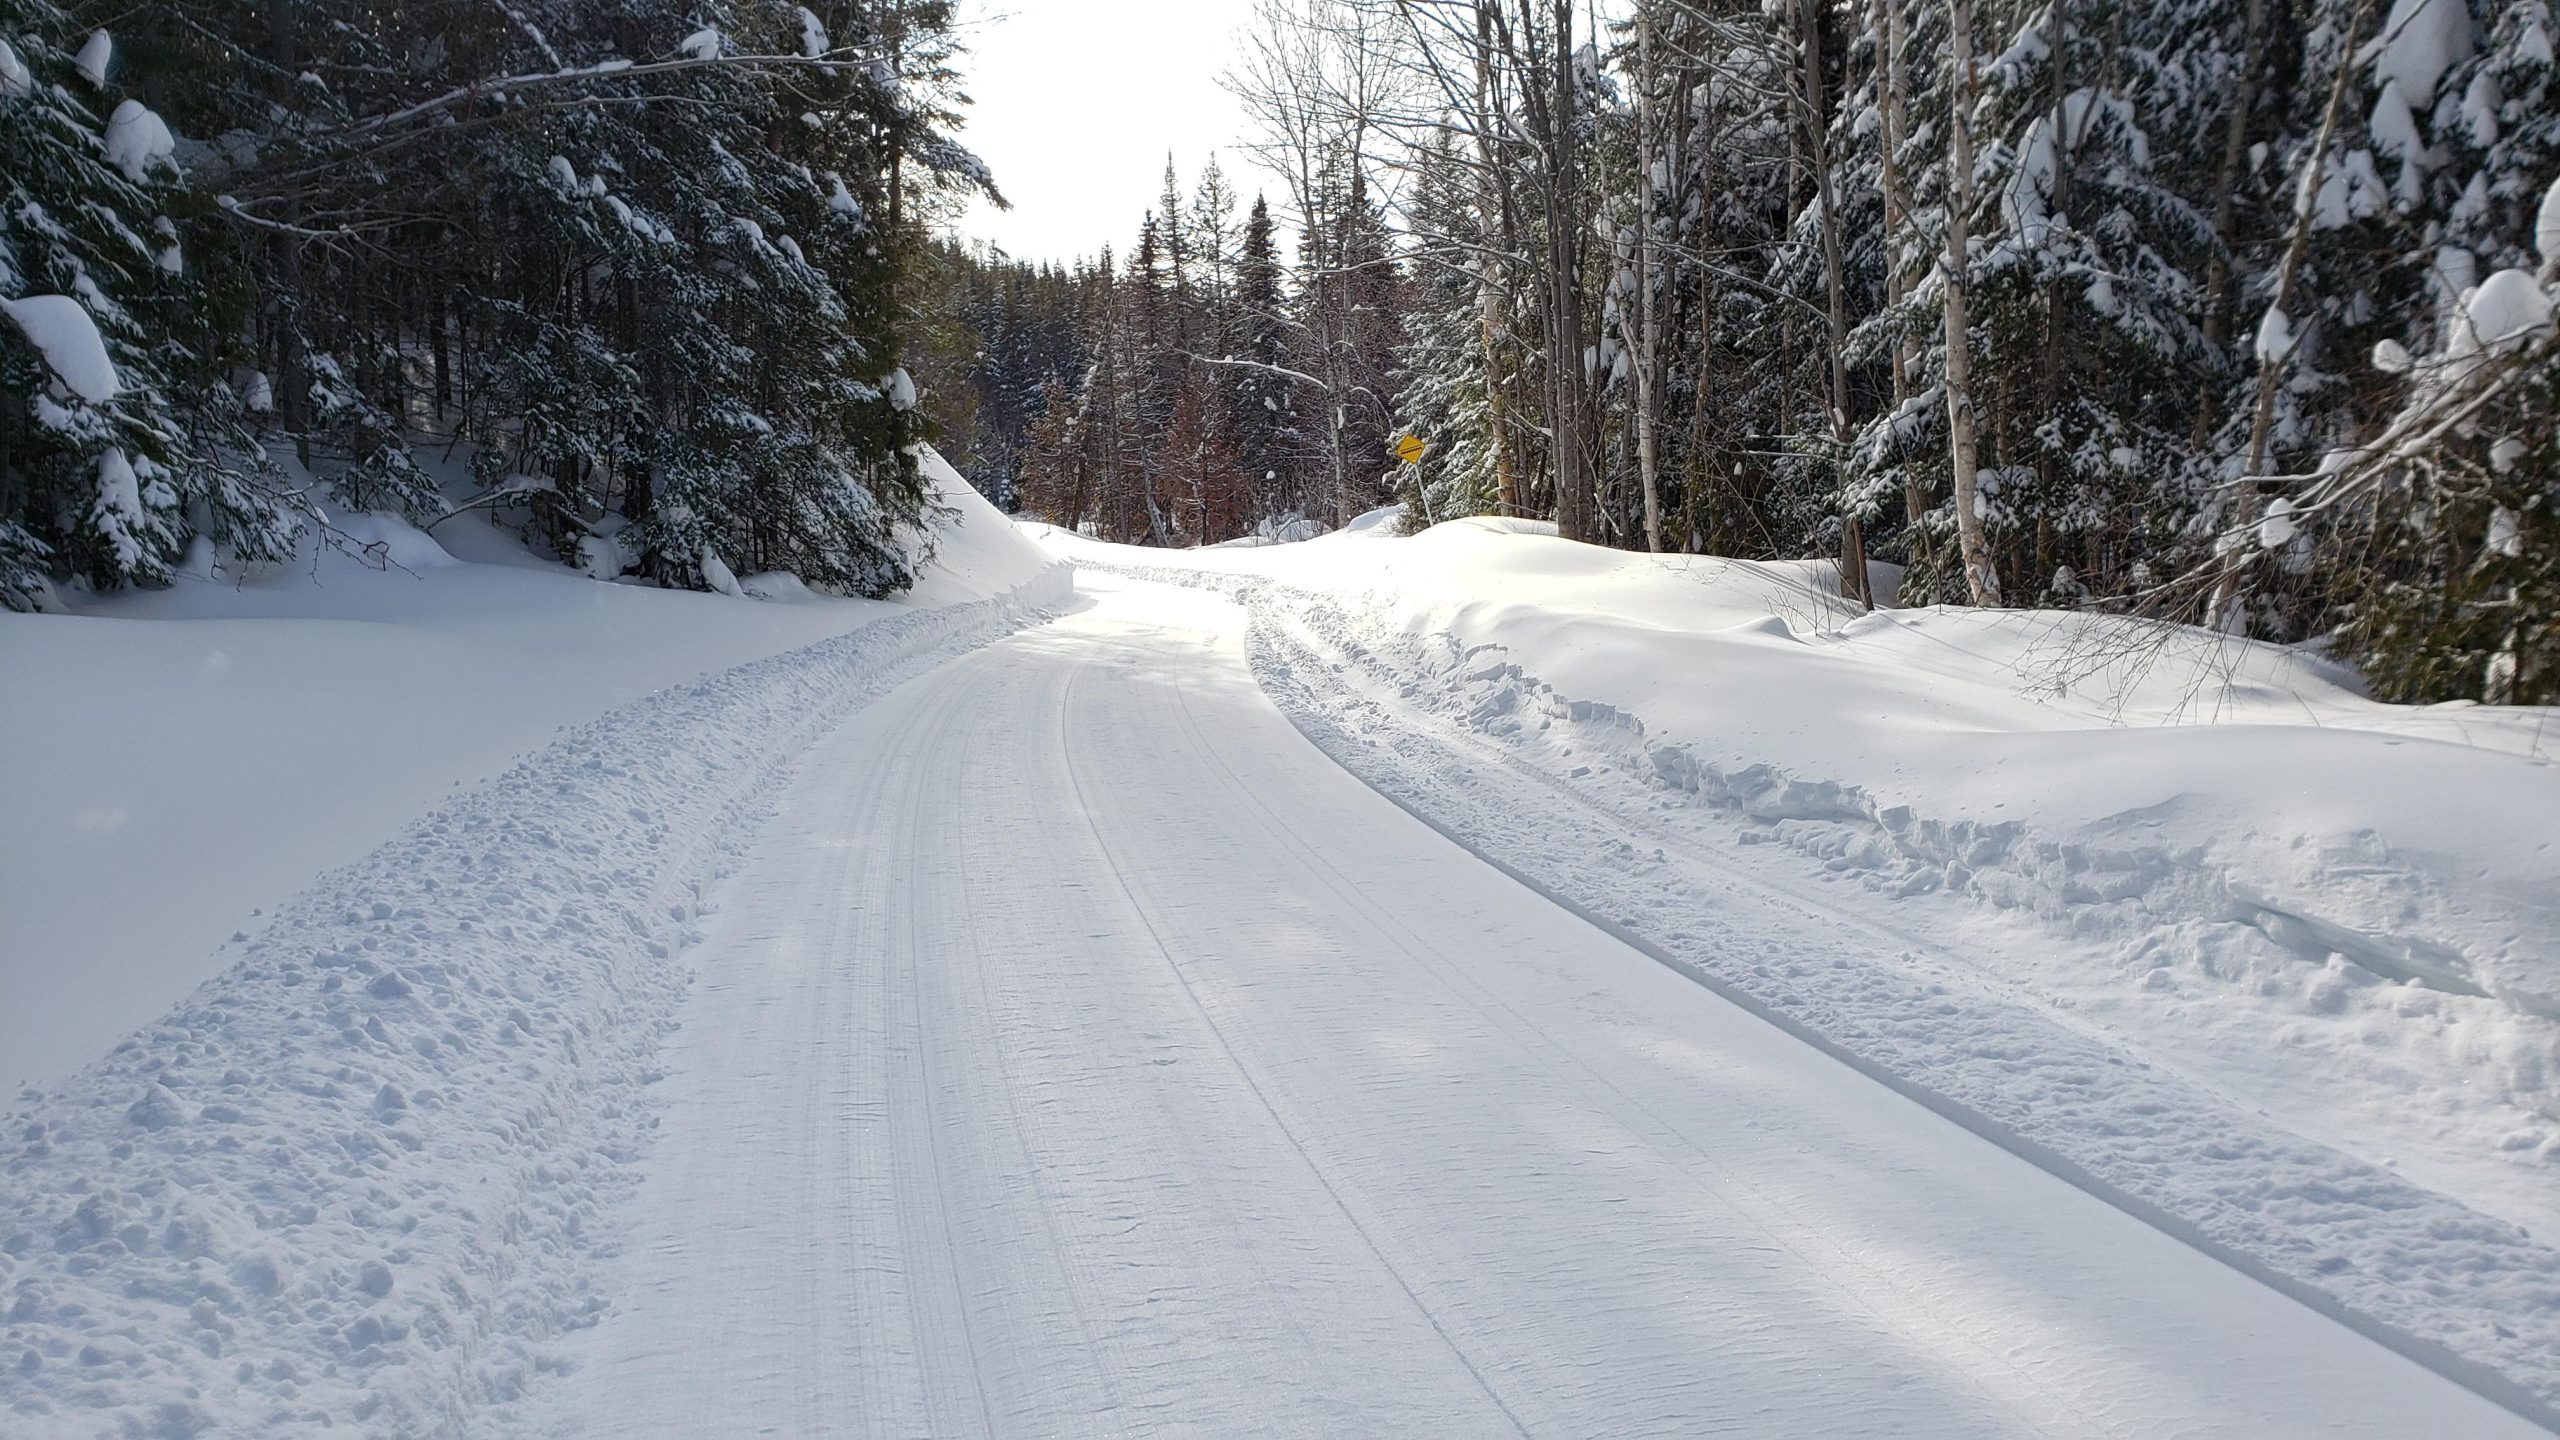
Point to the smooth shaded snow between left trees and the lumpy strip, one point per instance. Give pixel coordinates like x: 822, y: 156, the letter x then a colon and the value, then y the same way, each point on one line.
x: 183, y: 760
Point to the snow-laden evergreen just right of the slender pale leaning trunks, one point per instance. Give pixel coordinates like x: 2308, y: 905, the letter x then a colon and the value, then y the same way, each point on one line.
x: 2088, y: 296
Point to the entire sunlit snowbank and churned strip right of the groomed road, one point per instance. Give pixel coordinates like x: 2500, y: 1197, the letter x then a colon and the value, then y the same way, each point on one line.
x: 2262, y: 960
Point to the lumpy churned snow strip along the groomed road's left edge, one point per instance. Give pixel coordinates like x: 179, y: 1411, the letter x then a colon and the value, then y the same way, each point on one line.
x: 355, y: 1180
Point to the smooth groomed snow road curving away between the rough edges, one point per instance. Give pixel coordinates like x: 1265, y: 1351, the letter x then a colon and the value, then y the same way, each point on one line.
x: 1082, y: 1052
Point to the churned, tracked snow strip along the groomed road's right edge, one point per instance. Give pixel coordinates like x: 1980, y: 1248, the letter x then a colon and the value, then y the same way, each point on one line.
x: 1617, y: 839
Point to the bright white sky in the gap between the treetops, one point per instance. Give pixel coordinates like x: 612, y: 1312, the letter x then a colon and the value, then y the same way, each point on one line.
x: 1076, y: 104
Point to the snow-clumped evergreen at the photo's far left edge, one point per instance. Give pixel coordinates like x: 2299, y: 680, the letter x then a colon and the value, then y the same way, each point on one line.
x: 116, y: 432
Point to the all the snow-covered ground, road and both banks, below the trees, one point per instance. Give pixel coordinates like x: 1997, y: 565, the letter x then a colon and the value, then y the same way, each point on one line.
x: 1926, y: 1024
